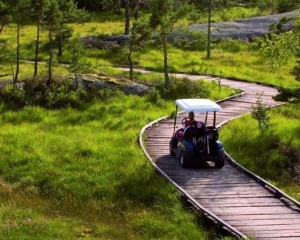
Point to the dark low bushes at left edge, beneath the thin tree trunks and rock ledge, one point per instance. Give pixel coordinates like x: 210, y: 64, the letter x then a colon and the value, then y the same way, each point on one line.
x: 61, y: 93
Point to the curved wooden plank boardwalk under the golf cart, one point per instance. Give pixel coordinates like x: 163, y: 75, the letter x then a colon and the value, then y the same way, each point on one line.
x: 232, y: 197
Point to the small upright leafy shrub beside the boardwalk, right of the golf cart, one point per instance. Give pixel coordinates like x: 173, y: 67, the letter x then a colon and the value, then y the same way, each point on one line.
x: 260, y: 113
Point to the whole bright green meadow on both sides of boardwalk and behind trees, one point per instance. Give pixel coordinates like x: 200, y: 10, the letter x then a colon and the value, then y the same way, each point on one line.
x: 80, y: 173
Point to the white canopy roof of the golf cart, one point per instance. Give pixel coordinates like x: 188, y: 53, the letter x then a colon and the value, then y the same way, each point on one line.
x: 198, y: 105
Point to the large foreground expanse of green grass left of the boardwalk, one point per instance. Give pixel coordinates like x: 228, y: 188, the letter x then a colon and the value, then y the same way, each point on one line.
x: 80, y: 173
